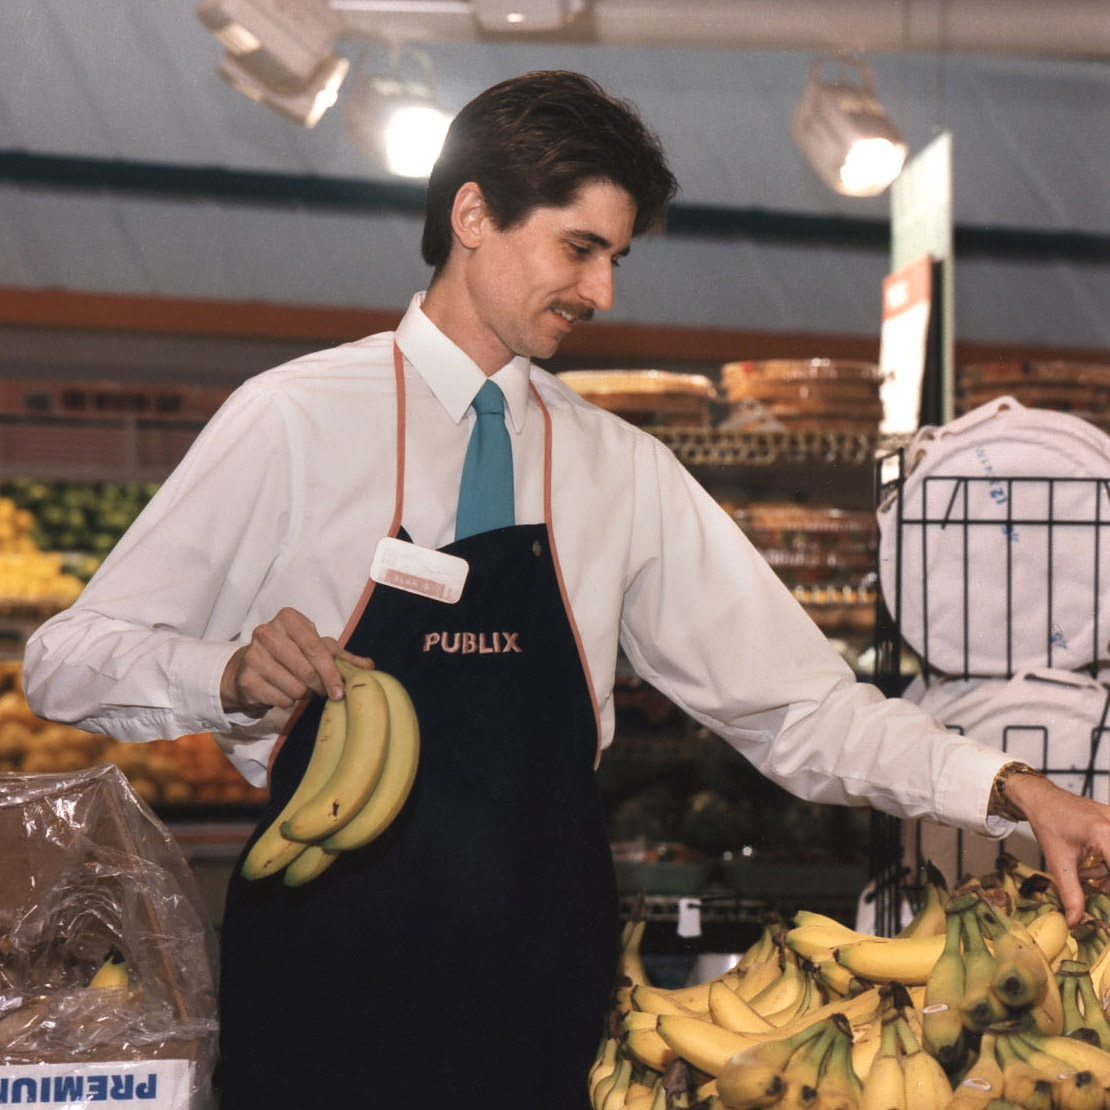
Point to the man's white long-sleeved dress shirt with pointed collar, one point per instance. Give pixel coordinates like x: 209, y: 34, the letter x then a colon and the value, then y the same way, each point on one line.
x: 286, y: 493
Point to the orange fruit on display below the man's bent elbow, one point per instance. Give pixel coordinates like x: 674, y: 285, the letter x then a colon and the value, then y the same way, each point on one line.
x: 188, y: 771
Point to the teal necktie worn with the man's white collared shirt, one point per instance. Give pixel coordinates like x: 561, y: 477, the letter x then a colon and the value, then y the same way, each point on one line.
x: 486, y: 496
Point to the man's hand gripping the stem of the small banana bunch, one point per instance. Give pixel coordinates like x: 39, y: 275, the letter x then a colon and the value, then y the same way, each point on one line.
x: 286, y: 660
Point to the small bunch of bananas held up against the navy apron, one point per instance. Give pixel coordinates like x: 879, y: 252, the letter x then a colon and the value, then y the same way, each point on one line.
x: 360, y: 773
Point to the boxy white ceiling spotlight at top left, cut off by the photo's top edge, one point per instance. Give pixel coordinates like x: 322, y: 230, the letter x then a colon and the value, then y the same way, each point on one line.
x: 280, y: 54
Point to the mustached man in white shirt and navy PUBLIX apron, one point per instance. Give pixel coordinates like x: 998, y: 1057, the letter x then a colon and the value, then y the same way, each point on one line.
x: 468, y: 954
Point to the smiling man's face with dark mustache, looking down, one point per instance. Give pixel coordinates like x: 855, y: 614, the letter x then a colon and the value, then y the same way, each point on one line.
x: 530, y: 285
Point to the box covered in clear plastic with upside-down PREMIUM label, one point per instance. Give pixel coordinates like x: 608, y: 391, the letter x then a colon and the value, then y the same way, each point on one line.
x: 92, y: 877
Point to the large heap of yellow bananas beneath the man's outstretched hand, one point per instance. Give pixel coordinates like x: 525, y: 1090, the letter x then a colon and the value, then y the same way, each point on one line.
x: 985, y: 1002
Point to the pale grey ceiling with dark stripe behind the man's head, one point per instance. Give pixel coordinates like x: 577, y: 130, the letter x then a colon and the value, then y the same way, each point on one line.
x: 1025, y: 90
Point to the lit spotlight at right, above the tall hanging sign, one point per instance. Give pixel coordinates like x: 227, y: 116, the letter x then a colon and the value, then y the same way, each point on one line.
x: 845, y: 134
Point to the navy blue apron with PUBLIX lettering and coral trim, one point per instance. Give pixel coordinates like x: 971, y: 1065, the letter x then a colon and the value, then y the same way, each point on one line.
x: 468, y: 955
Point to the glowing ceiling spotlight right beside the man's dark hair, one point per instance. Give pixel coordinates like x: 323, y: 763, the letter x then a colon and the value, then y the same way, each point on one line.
x: 395, y: 119
